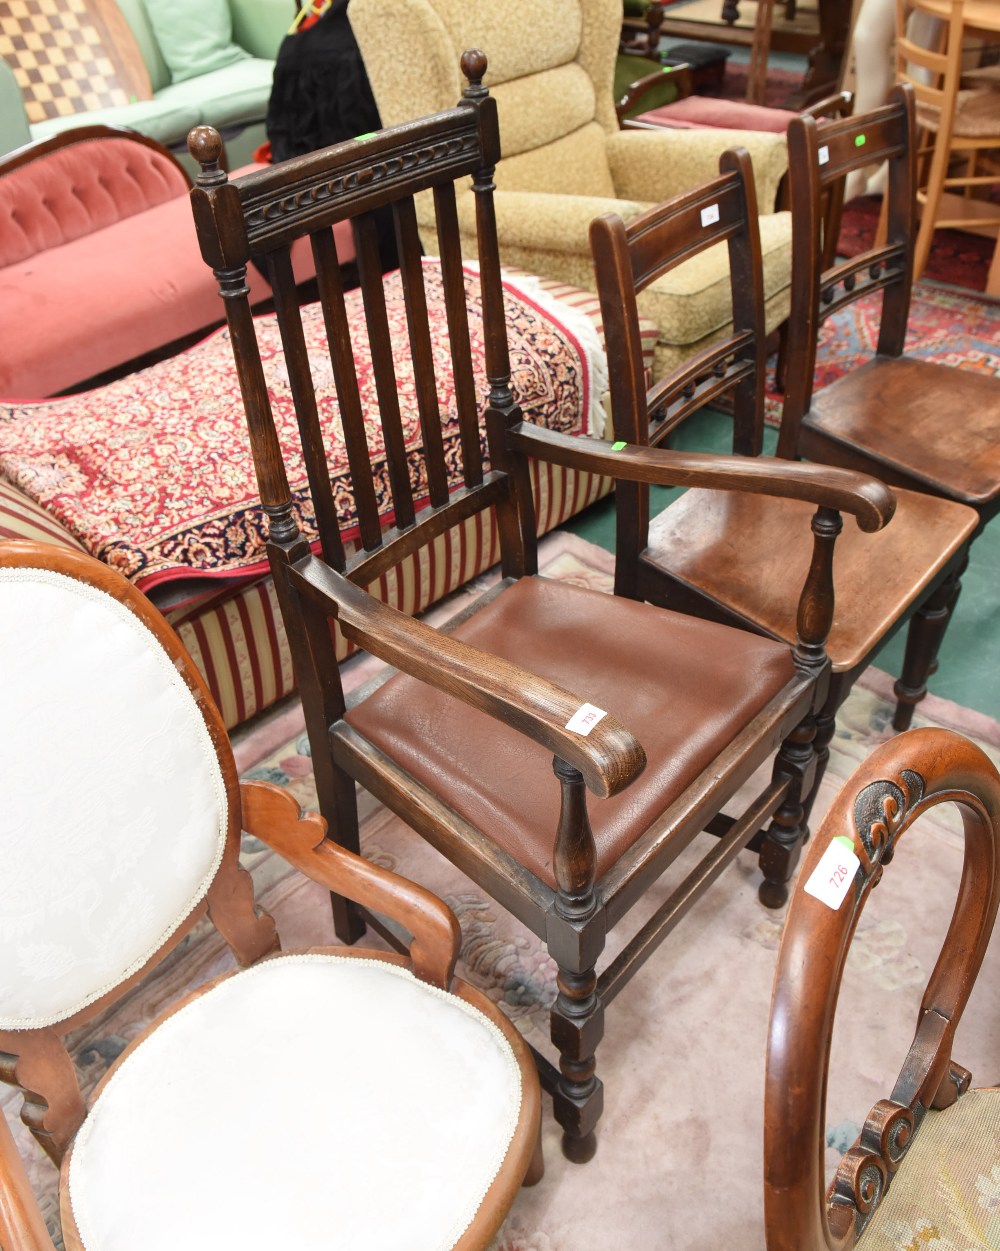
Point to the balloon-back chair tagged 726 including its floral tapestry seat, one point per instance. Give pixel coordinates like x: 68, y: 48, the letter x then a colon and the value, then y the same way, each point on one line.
x: 916, y: 1163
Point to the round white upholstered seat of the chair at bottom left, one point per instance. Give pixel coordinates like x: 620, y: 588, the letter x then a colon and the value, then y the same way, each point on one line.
x: 211, y: 1125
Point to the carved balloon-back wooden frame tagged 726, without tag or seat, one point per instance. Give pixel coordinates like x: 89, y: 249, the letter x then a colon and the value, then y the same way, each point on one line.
x: 901, y: 783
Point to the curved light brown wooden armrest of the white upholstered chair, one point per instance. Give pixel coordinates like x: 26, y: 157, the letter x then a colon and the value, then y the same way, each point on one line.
x: 273, y: 815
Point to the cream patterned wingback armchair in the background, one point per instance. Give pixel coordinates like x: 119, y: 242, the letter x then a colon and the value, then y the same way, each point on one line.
x: 566, y: 162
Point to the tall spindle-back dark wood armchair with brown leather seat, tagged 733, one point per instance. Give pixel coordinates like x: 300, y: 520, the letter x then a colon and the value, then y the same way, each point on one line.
x: 661, y: 716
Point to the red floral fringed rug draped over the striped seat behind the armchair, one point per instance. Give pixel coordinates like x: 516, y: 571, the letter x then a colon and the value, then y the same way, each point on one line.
x: 153, y: 474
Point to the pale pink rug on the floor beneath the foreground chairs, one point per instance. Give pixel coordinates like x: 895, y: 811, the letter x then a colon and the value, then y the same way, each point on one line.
x: 679, y: 1164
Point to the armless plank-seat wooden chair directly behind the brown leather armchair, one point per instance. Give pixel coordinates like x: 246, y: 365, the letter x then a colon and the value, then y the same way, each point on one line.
x: 740, y: 559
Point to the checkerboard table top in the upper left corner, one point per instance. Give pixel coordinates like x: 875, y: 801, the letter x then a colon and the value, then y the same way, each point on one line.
x: 72, y: 57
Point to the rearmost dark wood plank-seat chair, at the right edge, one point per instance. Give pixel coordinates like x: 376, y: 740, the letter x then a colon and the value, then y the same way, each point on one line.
x: 913, y: 423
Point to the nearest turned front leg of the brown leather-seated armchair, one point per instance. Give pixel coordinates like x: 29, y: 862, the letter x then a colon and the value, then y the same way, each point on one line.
x: 578, y: 1025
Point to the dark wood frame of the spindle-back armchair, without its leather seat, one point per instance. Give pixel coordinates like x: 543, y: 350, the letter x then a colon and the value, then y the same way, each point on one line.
x: 262, y: 213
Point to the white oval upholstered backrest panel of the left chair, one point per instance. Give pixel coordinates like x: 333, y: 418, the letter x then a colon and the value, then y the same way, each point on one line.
x: 115, y: 810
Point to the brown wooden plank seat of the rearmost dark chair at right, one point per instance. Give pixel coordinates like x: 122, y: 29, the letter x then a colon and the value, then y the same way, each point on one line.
x: 887, y: 416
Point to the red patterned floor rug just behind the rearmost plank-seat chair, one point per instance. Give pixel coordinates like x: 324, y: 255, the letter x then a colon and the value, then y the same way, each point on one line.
x: 949, y: 327
